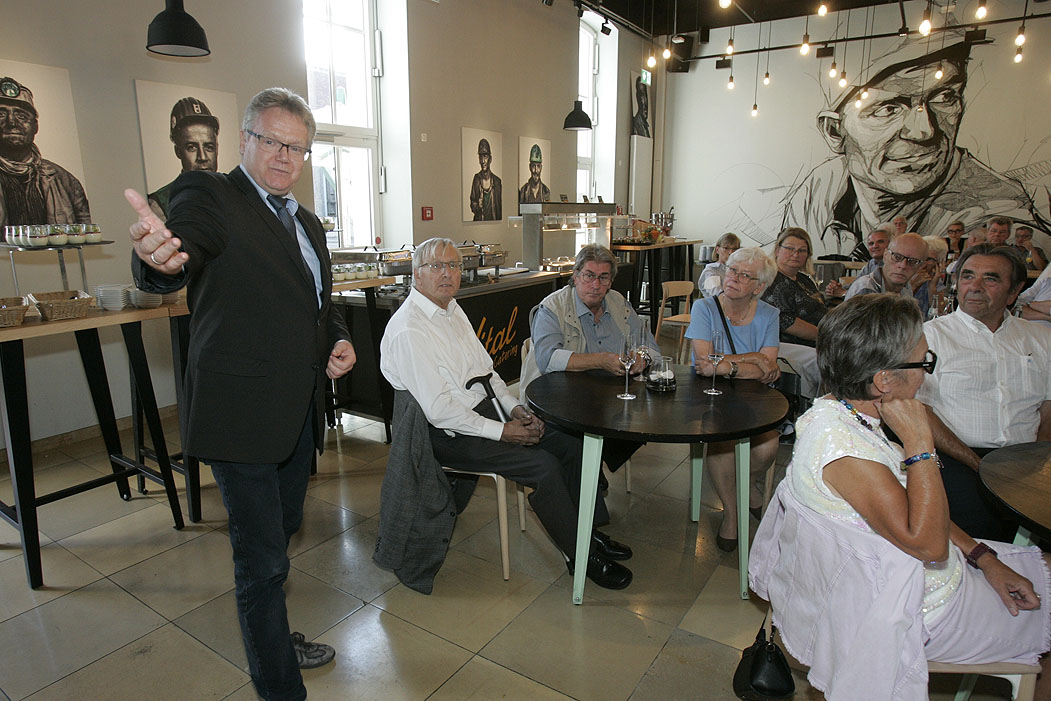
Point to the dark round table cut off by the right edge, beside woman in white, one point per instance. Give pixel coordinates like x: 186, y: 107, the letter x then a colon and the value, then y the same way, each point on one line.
x: 1020, y: 477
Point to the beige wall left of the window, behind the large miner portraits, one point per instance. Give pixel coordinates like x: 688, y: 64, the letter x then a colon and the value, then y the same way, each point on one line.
x: 102, y: 45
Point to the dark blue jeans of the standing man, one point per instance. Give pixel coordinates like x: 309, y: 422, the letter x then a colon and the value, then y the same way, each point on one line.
x: 265, y: 507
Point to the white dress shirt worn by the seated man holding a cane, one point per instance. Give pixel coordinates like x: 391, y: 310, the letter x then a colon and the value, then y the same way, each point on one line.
x: 434, y: 353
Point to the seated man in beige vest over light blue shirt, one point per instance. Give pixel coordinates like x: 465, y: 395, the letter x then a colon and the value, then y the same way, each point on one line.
x: 583, y: 327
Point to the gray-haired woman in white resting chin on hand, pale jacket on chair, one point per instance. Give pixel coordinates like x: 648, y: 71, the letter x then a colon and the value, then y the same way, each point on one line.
x: 857, y: 545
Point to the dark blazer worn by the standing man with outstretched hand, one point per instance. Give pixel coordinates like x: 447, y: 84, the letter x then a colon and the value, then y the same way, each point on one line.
x: 259, y: 344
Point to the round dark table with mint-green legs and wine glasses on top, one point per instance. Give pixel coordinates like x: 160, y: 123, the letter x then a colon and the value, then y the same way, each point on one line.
x: 587, y: 403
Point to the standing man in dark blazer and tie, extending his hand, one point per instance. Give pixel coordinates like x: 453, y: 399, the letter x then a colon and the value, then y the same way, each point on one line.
x: 263, y: 338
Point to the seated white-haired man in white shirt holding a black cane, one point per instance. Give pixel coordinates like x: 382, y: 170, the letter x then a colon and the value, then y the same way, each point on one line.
x: 431, y: 350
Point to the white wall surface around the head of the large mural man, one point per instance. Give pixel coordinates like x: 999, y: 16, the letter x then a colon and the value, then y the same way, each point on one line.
x: 728, y: 172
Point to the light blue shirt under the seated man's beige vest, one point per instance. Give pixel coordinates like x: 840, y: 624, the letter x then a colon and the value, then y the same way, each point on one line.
x: 602, y: 337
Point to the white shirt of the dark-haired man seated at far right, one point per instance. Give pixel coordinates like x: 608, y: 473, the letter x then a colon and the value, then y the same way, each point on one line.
x: 987, y: 387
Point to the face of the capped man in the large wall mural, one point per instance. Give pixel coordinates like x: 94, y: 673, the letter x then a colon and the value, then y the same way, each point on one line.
x: 903, y: 138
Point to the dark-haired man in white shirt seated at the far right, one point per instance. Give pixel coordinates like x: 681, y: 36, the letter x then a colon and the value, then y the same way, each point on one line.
x: 992, y: 385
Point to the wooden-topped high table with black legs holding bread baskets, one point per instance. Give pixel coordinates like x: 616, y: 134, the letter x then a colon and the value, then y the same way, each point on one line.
x: 16, y: 419
